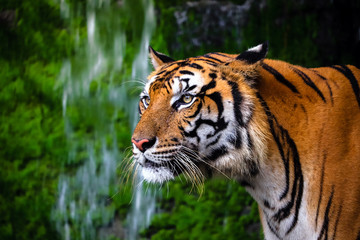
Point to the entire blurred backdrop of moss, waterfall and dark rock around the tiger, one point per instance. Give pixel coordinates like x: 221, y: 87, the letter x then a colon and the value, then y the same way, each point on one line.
x: 70, y: 74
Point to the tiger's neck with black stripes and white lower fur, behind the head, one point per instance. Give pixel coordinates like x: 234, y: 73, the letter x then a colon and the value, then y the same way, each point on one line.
x: 279, y: 186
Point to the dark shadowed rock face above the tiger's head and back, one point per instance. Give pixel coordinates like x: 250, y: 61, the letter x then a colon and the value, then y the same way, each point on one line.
x: 332, y: 29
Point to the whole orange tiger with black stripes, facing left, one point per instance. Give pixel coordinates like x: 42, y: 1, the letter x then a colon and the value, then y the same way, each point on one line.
x: 289, y: 134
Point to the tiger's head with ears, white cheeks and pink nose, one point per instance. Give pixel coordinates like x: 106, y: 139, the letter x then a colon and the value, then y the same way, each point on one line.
x: 201, y: 116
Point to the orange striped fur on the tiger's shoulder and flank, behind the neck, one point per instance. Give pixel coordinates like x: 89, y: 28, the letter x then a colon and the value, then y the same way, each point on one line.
x: 338, y: 31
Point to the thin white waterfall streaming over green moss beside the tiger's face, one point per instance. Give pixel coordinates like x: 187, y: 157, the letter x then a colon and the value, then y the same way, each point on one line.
x: 95, y: 92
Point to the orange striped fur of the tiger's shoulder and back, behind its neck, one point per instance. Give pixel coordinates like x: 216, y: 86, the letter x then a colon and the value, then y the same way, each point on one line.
x: 328, y: 137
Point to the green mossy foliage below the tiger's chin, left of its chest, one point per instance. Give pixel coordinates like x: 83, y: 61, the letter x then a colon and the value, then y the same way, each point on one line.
x: 223, y: 211
